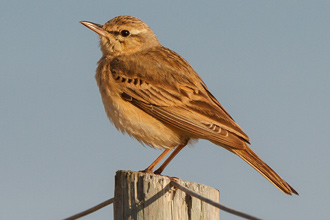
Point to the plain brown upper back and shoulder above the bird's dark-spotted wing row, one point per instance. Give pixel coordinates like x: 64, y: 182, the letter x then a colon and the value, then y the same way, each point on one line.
x: 158, y: 66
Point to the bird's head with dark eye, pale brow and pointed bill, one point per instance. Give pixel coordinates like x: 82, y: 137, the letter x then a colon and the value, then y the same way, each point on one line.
x: 123, y: 35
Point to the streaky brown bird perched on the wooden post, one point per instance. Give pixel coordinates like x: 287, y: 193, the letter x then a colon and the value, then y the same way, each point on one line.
x: 154, y: 95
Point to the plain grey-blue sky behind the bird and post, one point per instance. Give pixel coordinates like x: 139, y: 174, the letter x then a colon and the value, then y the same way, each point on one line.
x: 268, y: 63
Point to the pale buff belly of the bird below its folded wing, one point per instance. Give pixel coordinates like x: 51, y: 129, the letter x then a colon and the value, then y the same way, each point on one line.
x: 135, y: 122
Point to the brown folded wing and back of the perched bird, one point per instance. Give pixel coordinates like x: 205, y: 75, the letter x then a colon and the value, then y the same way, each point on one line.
x: 165, y: 86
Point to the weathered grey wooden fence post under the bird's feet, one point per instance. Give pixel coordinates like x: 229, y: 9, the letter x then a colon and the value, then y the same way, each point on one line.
x: 141, y: 196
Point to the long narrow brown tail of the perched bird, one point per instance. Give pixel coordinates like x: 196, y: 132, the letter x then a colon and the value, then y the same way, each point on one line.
x: 251, y: 158
